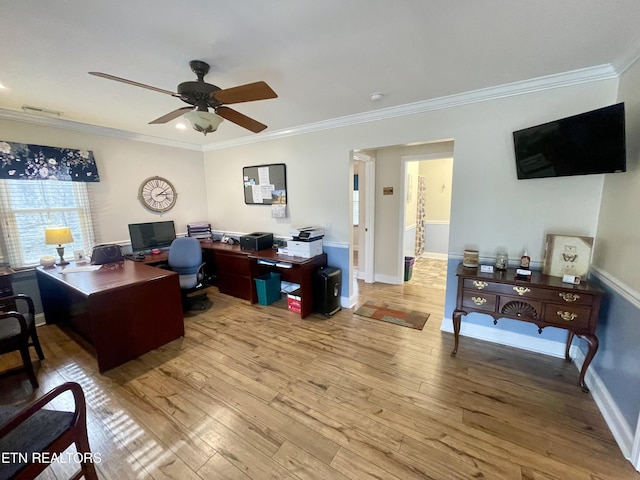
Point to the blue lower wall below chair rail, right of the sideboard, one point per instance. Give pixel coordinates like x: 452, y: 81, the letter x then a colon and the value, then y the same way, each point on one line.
x: 618, y: 358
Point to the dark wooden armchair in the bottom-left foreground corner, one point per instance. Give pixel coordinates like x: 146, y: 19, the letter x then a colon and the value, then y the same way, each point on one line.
x: 34, y: 433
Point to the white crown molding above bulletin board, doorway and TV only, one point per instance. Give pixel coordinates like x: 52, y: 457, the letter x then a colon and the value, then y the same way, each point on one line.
x: 560, y: 80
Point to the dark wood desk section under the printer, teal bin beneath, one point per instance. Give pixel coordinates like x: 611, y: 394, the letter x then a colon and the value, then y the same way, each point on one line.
x: 301, y: 272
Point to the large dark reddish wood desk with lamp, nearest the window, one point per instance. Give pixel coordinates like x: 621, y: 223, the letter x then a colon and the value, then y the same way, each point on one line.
x: 124, y: 309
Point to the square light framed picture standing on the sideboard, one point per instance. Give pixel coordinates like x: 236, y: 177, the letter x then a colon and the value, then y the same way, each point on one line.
x: 567, y: 255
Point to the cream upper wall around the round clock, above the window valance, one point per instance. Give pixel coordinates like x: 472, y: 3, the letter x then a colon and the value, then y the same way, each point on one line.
x: 123, y: 165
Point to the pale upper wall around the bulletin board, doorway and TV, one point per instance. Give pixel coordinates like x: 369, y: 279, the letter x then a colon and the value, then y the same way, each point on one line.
x: 490, y: 207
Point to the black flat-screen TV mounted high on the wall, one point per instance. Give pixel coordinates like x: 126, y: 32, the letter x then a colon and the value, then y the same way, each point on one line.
x: 584, y: 144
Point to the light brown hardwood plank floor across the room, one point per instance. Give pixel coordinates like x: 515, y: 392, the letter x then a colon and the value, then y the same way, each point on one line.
x: 254, y: 392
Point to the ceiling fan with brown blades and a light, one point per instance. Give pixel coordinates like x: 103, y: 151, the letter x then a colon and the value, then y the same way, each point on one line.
x: 201, y: 96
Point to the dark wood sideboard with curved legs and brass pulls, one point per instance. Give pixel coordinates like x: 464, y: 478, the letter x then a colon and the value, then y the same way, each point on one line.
x: 542, y: 300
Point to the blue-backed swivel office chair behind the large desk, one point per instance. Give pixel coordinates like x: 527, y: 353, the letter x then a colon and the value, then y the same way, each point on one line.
x: 185, y: 258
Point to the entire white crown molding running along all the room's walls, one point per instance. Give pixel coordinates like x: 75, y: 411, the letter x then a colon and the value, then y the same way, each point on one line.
x: 560, y: 80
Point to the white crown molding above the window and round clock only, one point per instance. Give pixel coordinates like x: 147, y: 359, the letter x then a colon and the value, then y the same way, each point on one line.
x: 17, y: 116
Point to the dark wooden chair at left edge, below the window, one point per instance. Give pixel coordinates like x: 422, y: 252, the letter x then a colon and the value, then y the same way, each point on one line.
x: 18, y: 331
